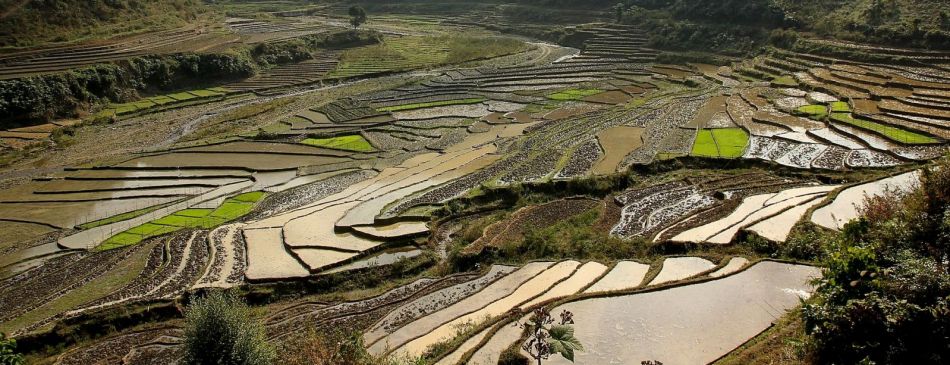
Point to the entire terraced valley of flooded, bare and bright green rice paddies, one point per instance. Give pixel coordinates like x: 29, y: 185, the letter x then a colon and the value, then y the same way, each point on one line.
x: 423, y: 199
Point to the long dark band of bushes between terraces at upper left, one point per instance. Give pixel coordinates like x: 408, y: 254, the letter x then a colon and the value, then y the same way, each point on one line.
x: 36, y: 99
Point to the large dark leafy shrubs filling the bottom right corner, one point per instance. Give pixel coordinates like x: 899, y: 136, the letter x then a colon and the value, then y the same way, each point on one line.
x: 885, y: 295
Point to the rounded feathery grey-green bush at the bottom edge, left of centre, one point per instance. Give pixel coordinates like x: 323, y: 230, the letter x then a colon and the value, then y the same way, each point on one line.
x: 219, y: 330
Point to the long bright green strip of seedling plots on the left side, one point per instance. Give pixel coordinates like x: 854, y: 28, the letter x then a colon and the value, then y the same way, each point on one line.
x: 231, y: 209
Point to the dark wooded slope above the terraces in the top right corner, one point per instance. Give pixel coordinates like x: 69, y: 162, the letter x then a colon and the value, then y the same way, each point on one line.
x: 739, y: 27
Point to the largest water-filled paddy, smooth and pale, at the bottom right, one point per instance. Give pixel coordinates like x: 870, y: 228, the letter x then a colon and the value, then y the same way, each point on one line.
x: 690, y: 324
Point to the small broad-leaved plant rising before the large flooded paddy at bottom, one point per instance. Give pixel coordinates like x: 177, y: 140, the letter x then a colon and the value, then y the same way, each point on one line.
x: 547, y: 339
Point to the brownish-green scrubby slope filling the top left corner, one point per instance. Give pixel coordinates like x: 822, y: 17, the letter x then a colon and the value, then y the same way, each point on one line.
x: 30, y: 23
